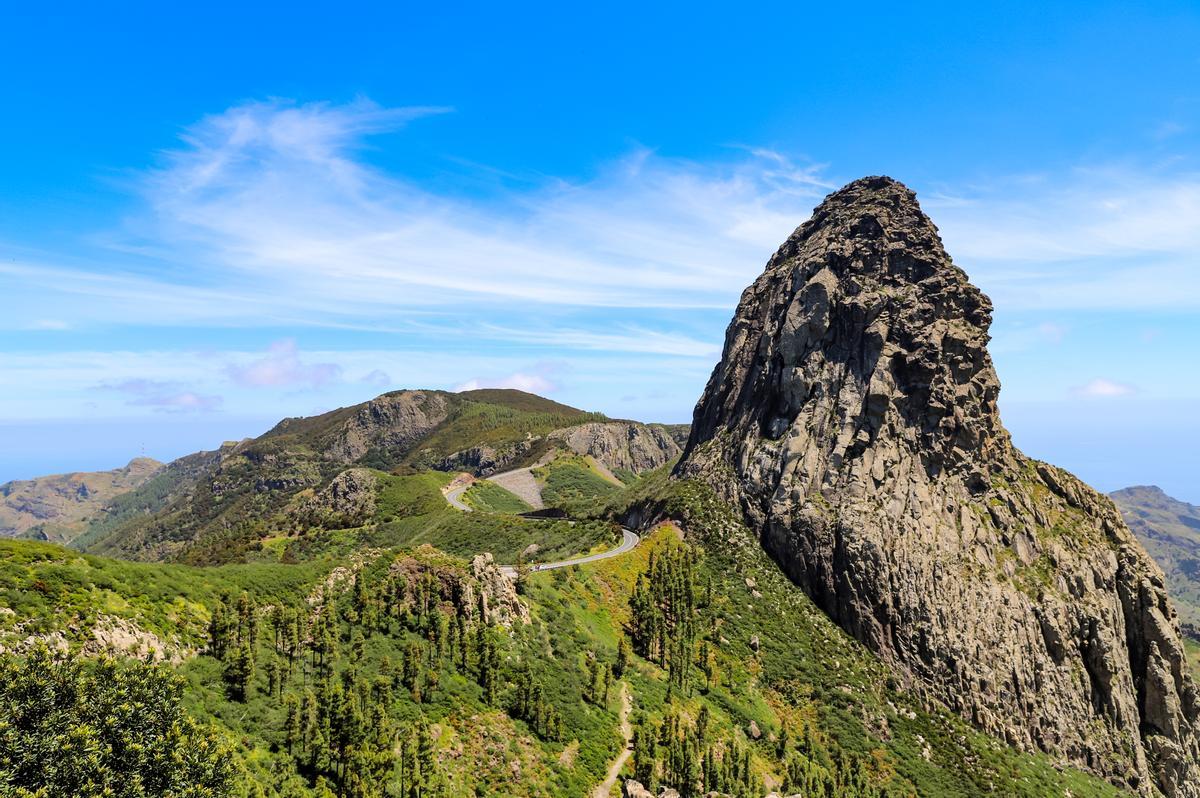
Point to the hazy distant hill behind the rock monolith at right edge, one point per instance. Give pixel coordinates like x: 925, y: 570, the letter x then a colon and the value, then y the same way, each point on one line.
x: 1171, y: 532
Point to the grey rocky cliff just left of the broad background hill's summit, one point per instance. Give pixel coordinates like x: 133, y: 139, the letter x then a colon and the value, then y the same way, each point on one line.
x: 391, y: 423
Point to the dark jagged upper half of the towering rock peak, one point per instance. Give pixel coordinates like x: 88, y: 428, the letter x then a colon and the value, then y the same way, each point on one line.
x: 865, y: 289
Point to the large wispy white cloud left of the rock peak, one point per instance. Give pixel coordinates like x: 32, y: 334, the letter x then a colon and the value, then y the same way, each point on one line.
x: 278, y: 218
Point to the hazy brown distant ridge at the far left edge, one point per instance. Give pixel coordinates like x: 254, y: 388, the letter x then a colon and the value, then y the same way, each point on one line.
x: 57, y: 508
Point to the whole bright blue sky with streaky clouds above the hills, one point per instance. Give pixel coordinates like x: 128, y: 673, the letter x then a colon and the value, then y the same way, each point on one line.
x: 212, y: 218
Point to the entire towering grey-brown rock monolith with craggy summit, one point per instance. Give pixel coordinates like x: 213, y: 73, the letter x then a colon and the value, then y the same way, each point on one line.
x: 854, y: 421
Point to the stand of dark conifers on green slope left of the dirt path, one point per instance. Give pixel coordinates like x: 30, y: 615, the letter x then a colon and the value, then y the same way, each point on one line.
x: 339, y: 721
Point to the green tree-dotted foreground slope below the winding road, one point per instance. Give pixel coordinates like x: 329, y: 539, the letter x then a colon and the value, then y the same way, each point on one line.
x: 373, y: 669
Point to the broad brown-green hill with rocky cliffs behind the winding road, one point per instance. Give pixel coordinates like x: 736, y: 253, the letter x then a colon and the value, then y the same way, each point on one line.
x: 217, y: 507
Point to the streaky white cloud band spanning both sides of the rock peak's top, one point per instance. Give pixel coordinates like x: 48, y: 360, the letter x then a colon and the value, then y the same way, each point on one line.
x: 277, y: 219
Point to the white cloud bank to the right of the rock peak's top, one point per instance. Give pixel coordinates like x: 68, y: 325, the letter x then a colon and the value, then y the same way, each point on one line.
x: 1090, y: 239
